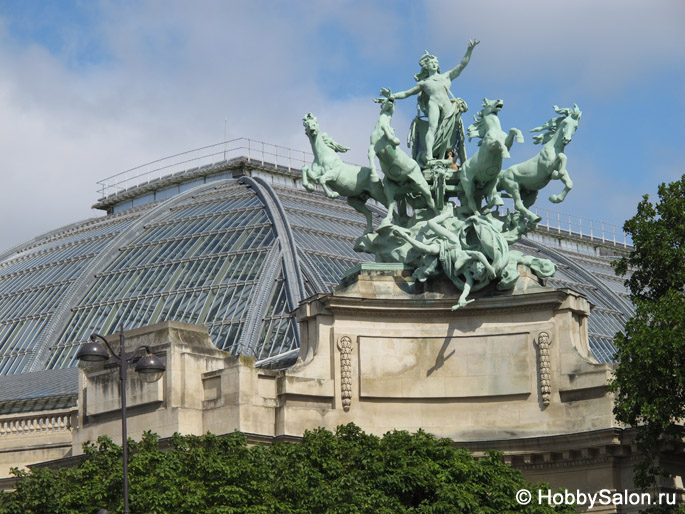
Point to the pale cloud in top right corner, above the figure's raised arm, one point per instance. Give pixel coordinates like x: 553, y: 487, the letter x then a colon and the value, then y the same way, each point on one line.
x: 603, y: 43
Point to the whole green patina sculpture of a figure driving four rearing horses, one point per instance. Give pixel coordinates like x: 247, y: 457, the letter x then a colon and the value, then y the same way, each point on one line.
x: 467, y: 243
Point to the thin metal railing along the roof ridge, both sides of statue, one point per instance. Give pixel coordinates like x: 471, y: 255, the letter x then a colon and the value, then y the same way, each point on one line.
x: 293, y: 160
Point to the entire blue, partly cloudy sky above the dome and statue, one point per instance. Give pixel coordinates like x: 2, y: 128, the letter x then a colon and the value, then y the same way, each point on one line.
x: 90, y: 88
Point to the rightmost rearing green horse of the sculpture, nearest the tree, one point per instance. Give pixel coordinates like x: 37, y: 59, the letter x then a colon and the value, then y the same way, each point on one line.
x: 523, y: 181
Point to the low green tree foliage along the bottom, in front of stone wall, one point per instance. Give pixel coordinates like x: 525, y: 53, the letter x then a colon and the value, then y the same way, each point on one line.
x: 345, y: 472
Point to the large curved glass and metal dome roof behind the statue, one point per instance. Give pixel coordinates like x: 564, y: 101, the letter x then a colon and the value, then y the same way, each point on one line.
x: 235, y: 247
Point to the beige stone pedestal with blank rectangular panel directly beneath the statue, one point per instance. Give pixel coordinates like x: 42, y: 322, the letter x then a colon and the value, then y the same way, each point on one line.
x: 390, y: 353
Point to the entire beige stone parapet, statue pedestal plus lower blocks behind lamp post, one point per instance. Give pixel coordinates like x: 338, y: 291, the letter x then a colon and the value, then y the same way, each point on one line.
x: 385, y: 353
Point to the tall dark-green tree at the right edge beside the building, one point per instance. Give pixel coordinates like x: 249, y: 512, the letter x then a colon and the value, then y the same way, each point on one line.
x: 650, y: 379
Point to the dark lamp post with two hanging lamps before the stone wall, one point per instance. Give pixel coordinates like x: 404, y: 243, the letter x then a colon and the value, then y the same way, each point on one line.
x: 149, y: 367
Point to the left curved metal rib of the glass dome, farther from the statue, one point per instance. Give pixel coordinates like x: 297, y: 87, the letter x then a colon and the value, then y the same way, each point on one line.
x: 82, y: 285
